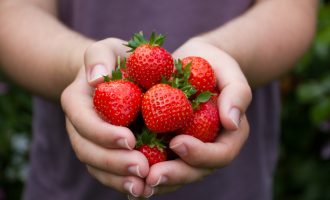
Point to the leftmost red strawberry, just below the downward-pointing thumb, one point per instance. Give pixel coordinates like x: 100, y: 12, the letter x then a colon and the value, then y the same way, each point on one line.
x: 117, y: 102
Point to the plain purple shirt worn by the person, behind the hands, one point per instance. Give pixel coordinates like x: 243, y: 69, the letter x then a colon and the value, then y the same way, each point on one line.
x: 55, y: 172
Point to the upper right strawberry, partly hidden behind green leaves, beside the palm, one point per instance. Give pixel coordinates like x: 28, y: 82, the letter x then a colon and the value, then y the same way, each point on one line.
x: 202, y: 76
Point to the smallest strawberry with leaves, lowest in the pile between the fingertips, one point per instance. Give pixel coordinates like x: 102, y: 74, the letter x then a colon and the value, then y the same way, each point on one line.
x: 153, y: 148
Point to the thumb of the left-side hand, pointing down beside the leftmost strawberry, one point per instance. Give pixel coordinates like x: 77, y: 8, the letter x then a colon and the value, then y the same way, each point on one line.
x: 101, y: 57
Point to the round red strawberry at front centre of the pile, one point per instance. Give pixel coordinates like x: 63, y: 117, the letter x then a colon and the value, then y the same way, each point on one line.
x: 165, y: 109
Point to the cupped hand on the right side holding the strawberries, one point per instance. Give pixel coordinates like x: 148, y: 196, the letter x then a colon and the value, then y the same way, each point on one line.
x: 198, y: 159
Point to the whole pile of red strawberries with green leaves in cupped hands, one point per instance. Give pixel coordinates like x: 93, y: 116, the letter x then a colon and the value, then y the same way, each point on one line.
x: 158, y: 97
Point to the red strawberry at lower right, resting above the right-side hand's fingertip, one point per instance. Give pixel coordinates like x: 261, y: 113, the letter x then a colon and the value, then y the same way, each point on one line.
x: 205, y: 123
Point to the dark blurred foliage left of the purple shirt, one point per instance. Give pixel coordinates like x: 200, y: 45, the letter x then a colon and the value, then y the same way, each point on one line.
x: 15, y: 134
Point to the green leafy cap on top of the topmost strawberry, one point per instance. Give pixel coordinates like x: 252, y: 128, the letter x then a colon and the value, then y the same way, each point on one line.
x: 139, y: 39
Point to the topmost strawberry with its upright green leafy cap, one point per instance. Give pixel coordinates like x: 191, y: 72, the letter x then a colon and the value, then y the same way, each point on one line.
x: 149, y: 62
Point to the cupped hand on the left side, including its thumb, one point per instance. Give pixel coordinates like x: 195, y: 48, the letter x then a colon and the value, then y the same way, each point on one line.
x: 104, y: 148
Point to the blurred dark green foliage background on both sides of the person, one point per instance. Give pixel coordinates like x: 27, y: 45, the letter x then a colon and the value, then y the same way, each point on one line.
x: 303, y: 171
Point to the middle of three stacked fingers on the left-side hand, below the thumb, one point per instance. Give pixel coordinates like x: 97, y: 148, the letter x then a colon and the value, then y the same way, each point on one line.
x: 115, y: 161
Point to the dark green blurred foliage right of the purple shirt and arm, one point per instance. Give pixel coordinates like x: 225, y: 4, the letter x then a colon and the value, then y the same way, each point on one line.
x: 304, y: 165
